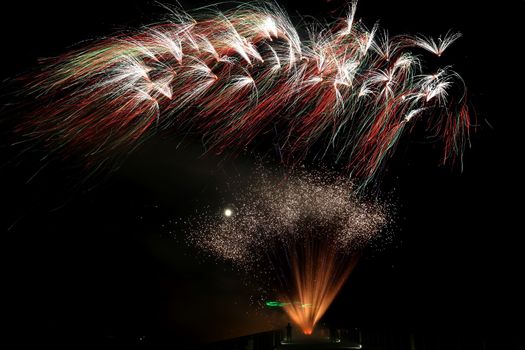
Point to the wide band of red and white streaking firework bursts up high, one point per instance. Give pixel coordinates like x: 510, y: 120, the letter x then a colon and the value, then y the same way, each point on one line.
x: 232, y: 76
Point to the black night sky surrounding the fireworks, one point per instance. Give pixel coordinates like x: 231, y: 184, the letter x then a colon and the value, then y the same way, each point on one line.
x: 101, y: 257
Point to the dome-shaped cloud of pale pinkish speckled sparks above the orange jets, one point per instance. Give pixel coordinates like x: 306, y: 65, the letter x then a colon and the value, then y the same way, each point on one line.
x: 317, y: 206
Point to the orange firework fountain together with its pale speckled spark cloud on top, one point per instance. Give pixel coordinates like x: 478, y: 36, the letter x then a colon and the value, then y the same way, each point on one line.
x: 305, y: 233
